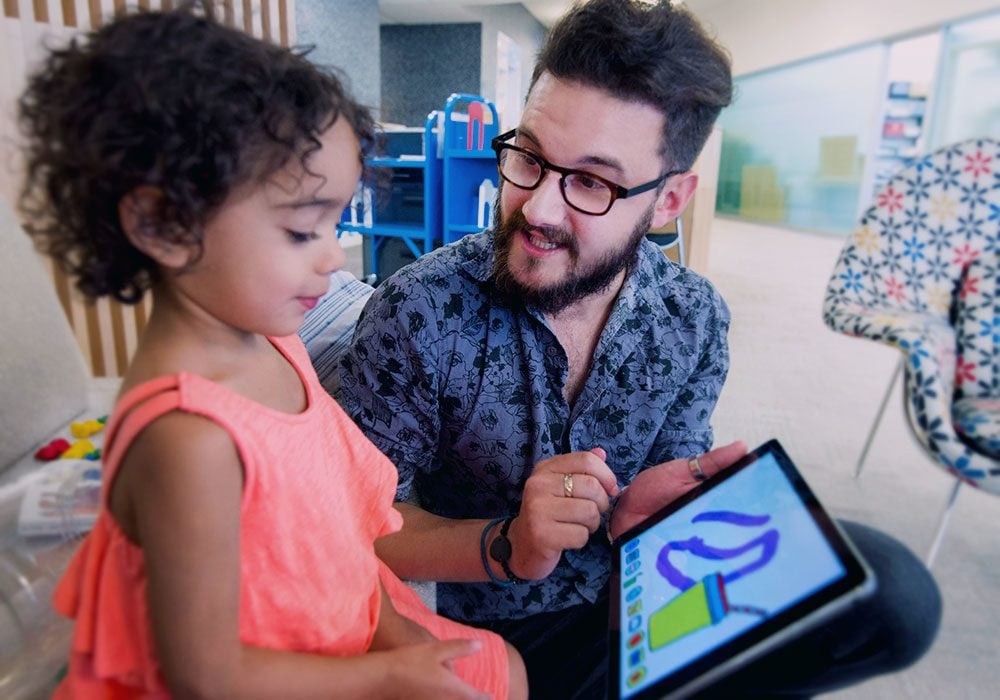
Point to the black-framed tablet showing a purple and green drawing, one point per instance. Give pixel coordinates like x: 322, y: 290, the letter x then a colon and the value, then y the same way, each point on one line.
x: 738, y: 565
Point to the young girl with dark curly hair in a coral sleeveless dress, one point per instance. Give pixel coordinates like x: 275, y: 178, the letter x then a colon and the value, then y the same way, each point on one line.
x: 234, y: 555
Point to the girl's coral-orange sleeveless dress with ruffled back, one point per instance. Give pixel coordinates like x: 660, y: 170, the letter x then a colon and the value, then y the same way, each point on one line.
x: 316, y: 495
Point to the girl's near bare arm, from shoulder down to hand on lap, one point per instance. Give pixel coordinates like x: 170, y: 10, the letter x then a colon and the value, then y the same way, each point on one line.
x: 178, y: 496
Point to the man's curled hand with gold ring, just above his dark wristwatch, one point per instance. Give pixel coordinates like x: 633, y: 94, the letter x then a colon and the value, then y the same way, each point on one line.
x: 549, y: 521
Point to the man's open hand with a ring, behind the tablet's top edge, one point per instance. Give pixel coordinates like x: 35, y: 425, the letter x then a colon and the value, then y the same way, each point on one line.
x: 659, y: 485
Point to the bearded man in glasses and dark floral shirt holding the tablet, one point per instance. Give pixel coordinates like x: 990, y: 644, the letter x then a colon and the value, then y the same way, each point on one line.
x: 521, y: 378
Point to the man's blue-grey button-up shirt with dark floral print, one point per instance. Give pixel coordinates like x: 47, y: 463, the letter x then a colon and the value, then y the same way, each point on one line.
x: 463, y: 389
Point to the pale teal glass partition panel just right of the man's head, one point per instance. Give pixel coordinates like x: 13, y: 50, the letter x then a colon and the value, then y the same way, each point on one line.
x: 796, y: 139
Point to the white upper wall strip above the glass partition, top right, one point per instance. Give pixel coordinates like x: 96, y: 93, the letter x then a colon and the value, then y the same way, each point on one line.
x: 767, y: 33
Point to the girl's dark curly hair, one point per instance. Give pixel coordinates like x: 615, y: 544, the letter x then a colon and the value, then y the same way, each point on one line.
x: 172, y: 100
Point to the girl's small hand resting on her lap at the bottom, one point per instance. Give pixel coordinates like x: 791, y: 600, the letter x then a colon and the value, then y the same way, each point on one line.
x: 427, y: 671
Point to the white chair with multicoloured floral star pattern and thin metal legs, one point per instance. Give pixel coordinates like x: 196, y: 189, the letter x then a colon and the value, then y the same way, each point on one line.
x: 921, y: 274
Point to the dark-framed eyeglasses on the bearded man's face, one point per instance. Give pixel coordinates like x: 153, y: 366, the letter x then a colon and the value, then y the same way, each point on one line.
x: 583, y: 191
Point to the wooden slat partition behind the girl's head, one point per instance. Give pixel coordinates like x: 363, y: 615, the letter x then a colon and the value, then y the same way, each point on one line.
x: 106, y: 331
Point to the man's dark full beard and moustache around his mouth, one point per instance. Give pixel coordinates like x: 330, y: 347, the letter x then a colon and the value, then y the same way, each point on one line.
x: 579, y: 282
